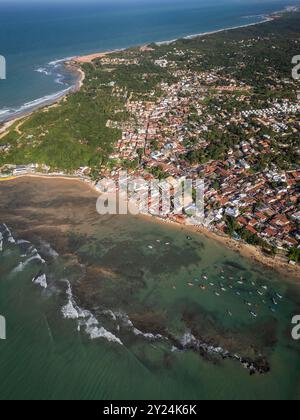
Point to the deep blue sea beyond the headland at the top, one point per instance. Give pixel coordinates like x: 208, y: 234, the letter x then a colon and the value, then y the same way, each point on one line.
x: 35, y: 34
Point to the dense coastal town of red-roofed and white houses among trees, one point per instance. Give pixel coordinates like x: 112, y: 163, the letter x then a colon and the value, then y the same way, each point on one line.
x: 209, y: 124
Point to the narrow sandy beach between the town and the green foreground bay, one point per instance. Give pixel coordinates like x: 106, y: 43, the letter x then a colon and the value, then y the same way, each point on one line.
x: 250, y: 252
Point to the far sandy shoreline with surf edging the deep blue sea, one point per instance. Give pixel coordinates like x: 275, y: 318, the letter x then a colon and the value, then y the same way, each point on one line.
x: 74, y: 63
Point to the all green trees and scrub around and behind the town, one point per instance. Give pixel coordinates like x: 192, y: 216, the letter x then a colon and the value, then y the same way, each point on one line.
x: 76, y: 132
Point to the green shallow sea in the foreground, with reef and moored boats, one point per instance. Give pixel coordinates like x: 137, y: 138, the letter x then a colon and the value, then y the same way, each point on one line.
x: 134, y: 285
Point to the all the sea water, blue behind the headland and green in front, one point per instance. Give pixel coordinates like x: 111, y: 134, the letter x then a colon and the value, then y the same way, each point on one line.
x: 123, y: 307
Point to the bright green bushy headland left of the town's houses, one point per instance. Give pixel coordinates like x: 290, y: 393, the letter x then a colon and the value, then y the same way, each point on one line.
x: 70, y: 135
